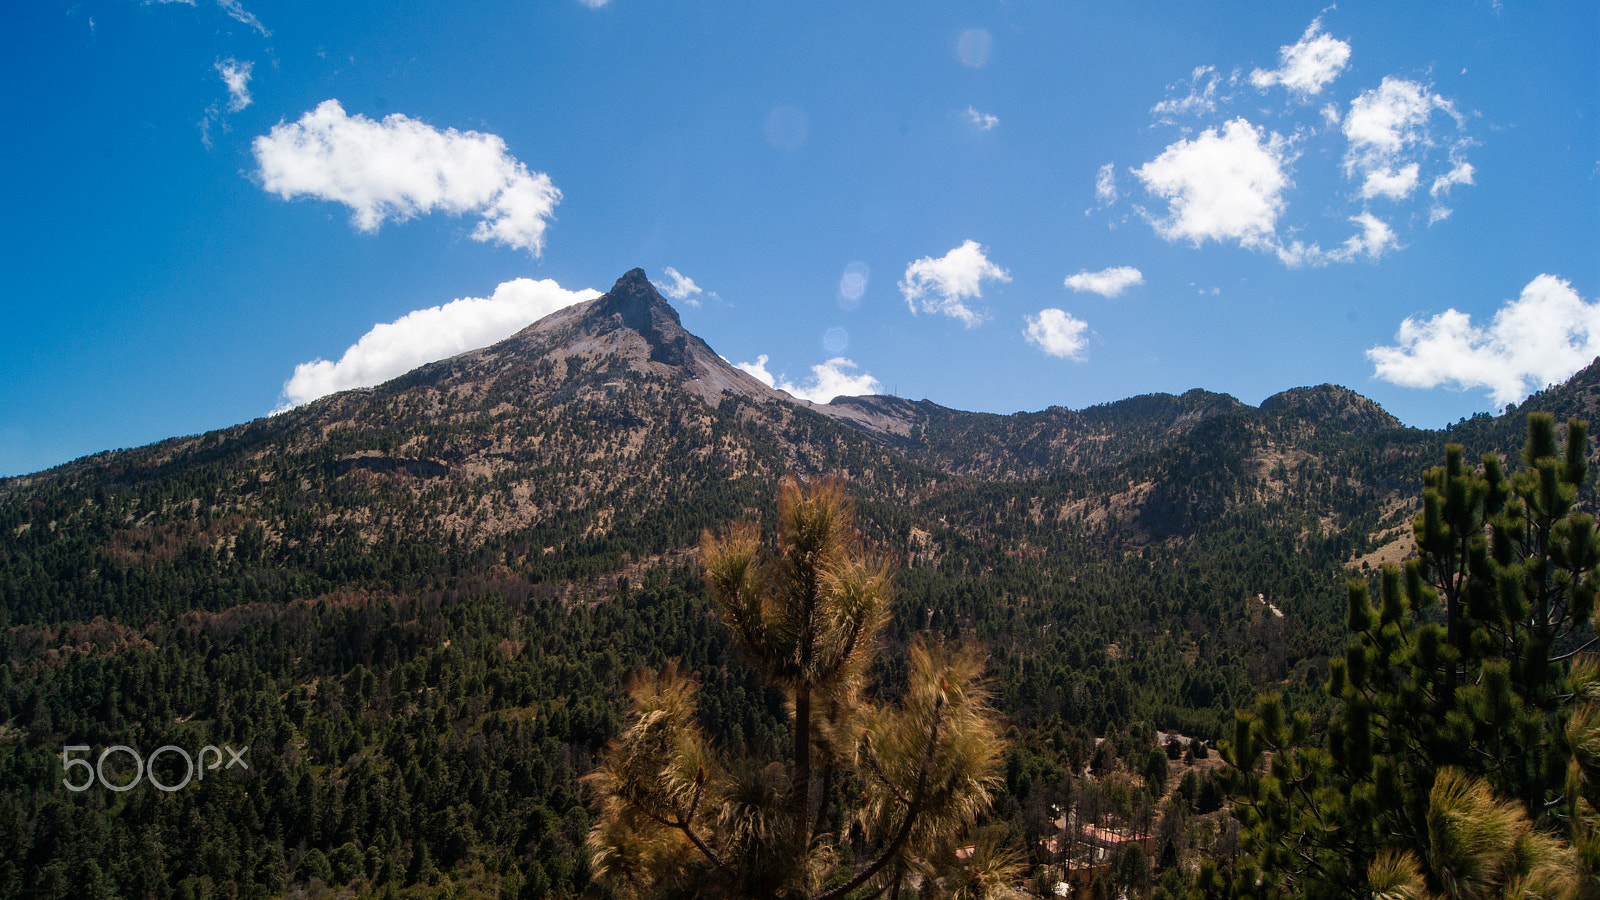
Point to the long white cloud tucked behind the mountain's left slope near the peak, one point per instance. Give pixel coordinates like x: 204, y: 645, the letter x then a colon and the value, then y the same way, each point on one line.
x: 426, y: 335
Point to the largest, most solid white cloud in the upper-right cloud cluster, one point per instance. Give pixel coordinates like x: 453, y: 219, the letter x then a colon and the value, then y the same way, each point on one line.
x: 1222, y: 187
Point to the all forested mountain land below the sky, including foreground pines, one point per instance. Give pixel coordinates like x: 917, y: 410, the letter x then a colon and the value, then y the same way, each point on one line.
x: 566, y: 624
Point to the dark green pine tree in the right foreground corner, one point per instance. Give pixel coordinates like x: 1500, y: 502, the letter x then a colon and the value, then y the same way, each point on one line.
x: 1452, y: 701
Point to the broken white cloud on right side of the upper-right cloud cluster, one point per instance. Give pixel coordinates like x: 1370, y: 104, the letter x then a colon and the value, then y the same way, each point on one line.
x: 1385, y: 129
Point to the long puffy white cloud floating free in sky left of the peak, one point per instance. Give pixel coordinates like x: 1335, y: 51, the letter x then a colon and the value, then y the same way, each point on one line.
x: 398, y: 169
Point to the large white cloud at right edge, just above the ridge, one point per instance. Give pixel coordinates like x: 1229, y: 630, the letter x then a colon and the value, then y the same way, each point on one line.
x: 1540, y: 339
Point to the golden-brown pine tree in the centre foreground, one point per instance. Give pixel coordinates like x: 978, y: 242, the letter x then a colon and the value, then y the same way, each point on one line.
x: 679, y: 818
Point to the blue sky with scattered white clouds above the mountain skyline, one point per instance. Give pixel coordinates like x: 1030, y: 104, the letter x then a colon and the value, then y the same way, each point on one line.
x: 218, y: 209
